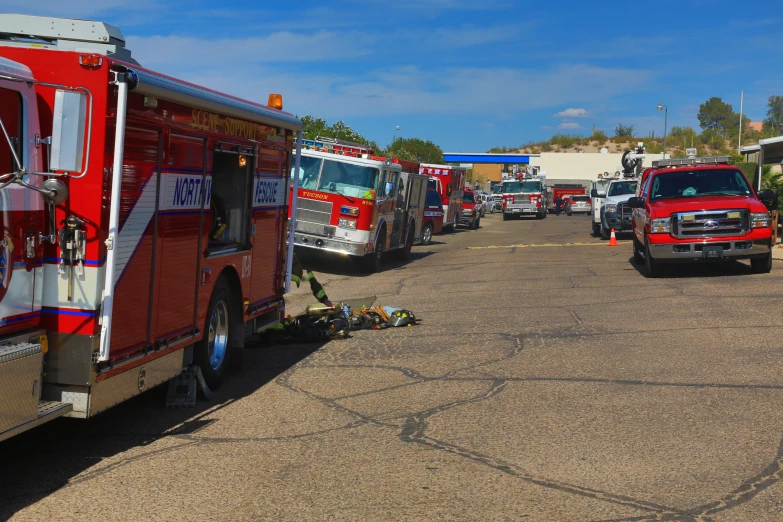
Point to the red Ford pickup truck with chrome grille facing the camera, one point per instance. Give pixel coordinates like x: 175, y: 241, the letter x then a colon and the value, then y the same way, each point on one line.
x: 699, y: 210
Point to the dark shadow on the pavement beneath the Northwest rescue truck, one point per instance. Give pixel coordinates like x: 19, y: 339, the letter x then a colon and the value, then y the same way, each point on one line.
x: 43, y: 460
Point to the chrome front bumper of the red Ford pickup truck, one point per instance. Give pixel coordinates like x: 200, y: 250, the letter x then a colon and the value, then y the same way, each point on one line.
x: 732, y: 249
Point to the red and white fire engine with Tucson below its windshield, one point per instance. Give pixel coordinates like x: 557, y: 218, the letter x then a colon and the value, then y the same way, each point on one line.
x: 353, y: 203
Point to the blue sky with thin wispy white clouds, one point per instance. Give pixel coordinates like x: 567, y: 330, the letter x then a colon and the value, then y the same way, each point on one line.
x: 465, y: 74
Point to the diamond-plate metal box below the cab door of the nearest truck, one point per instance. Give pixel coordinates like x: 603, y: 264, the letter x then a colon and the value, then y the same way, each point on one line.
x: 20, y: 384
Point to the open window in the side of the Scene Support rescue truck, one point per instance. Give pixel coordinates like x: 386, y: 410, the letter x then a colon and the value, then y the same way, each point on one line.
x: 229, y: 201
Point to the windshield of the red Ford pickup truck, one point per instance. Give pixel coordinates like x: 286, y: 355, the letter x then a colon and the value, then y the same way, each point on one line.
x: 699, y: 183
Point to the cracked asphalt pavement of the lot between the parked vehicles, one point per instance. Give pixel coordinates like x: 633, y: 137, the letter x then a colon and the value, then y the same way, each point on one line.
x: 549, y: 380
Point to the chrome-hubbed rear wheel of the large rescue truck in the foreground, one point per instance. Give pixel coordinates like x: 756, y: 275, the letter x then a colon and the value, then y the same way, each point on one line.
x: 215, y: 352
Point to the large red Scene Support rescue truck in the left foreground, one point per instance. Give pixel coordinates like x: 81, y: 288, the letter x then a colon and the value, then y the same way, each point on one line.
x: 144, y: 223
